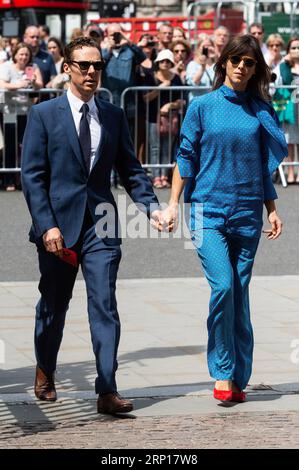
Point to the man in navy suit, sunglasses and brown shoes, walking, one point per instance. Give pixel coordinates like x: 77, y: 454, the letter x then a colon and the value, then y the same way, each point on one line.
x: 70, y: 145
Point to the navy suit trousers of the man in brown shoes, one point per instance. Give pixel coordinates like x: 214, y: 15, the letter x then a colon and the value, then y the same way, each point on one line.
x: 99, y: 264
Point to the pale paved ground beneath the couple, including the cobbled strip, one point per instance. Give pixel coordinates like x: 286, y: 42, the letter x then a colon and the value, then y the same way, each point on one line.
x: 162, y: 367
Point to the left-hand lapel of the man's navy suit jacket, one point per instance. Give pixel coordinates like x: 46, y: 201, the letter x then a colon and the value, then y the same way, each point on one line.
x: 67, y: 121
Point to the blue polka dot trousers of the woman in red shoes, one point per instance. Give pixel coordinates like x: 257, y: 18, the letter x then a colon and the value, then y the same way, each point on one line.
x: 227, y: 261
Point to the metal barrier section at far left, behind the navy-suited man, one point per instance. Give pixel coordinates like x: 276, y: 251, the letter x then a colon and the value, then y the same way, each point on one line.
x: 14, y: 109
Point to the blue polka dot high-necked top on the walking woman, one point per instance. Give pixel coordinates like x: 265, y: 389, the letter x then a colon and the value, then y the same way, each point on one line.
x: 221, y: 150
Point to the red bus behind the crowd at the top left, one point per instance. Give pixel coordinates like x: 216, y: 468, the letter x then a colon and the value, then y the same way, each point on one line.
x: 62, y: 16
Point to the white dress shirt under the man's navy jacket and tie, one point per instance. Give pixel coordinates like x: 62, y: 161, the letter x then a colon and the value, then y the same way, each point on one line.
x: 93, y: 119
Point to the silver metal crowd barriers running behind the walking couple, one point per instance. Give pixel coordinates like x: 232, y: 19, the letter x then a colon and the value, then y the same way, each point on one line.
x: 155, y: 149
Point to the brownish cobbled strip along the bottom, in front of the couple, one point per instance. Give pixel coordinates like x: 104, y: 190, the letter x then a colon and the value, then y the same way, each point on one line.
x: 276, y: 430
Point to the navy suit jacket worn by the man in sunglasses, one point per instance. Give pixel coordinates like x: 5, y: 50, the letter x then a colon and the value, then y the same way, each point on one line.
x: 55, y: 181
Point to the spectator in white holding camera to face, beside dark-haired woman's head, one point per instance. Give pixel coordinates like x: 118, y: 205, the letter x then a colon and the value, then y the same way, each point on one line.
x: 200, y: 71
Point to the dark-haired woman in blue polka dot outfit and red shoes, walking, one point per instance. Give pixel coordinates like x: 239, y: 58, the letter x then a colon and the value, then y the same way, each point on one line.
x: 230, y: 145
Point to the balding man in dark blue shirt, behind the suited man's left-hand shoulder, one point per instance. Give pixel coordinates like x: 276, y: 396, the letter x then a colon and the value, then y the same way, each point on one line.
x: 41, y: 58
